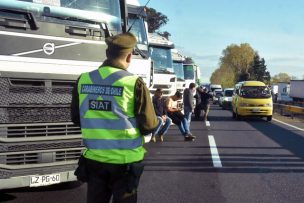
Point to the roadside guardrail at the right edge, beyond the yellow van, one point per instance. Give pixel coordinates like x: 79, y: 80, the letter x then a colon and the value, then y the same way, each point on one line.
x: 289, y: 110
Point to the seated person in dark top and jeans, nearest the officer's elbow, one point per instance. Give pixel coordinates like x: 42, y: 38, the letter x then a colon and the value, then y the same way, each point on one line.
x: 165, y: 121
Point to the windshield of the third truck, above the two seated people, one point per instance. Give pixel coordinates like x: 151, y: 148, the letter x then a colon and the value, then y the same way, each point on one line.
x: 162, y: 59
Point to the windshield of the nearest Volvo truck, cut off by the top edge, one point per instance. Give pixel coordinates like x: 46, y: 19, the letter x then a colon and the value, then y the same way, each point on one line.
x: 103, y: 11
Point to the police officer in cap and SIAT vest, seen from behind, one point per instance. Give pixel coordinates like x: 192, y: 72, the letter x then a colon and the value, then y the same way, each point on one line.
x: 115, y: 111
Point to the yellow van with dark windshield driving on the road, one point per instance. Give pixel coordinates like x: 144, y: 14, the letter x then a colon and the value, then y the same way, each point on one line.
x: 252, y: 98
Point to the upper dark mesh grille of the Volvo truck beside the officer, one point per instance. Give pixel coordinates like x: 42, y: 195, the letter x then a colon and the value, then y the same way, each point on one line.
x: 33, y: 101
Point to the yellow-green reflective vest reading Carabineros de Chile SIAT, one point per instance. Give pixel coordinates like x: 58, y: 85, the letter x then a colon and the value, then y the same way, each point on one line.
x: 108, y: 123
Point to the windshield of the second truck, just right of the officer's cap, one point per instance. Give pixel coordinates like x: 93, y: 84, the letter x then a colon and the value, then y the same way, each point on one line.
x: 139, y: 30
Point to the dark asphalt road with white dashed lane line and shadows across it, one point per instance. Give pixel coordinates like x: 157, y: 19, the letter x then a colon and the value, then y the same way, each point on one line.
x: 251, y: 160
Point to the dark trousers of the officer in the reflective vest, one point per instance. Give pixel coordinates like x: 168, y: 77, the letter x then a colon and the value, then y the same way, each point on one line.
x: 105, y: 180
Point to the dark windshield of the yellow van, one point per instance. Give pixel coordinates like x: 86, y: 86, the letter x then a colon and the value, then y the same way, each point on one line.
x: 255, y: 92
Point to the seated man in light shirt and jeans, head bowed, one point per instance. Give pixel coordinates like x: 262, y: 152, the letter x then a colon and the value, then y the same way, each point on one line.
x: 178, y: 117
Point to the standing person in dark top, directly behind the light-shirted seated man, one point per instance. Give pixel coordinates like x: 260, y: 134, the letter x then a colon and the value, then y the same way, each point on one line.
x: 188, y: 102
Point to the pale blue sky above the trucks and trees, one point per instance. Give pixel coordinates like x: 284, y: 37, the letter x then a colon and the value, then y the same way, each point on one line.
x: 202, y: 29
